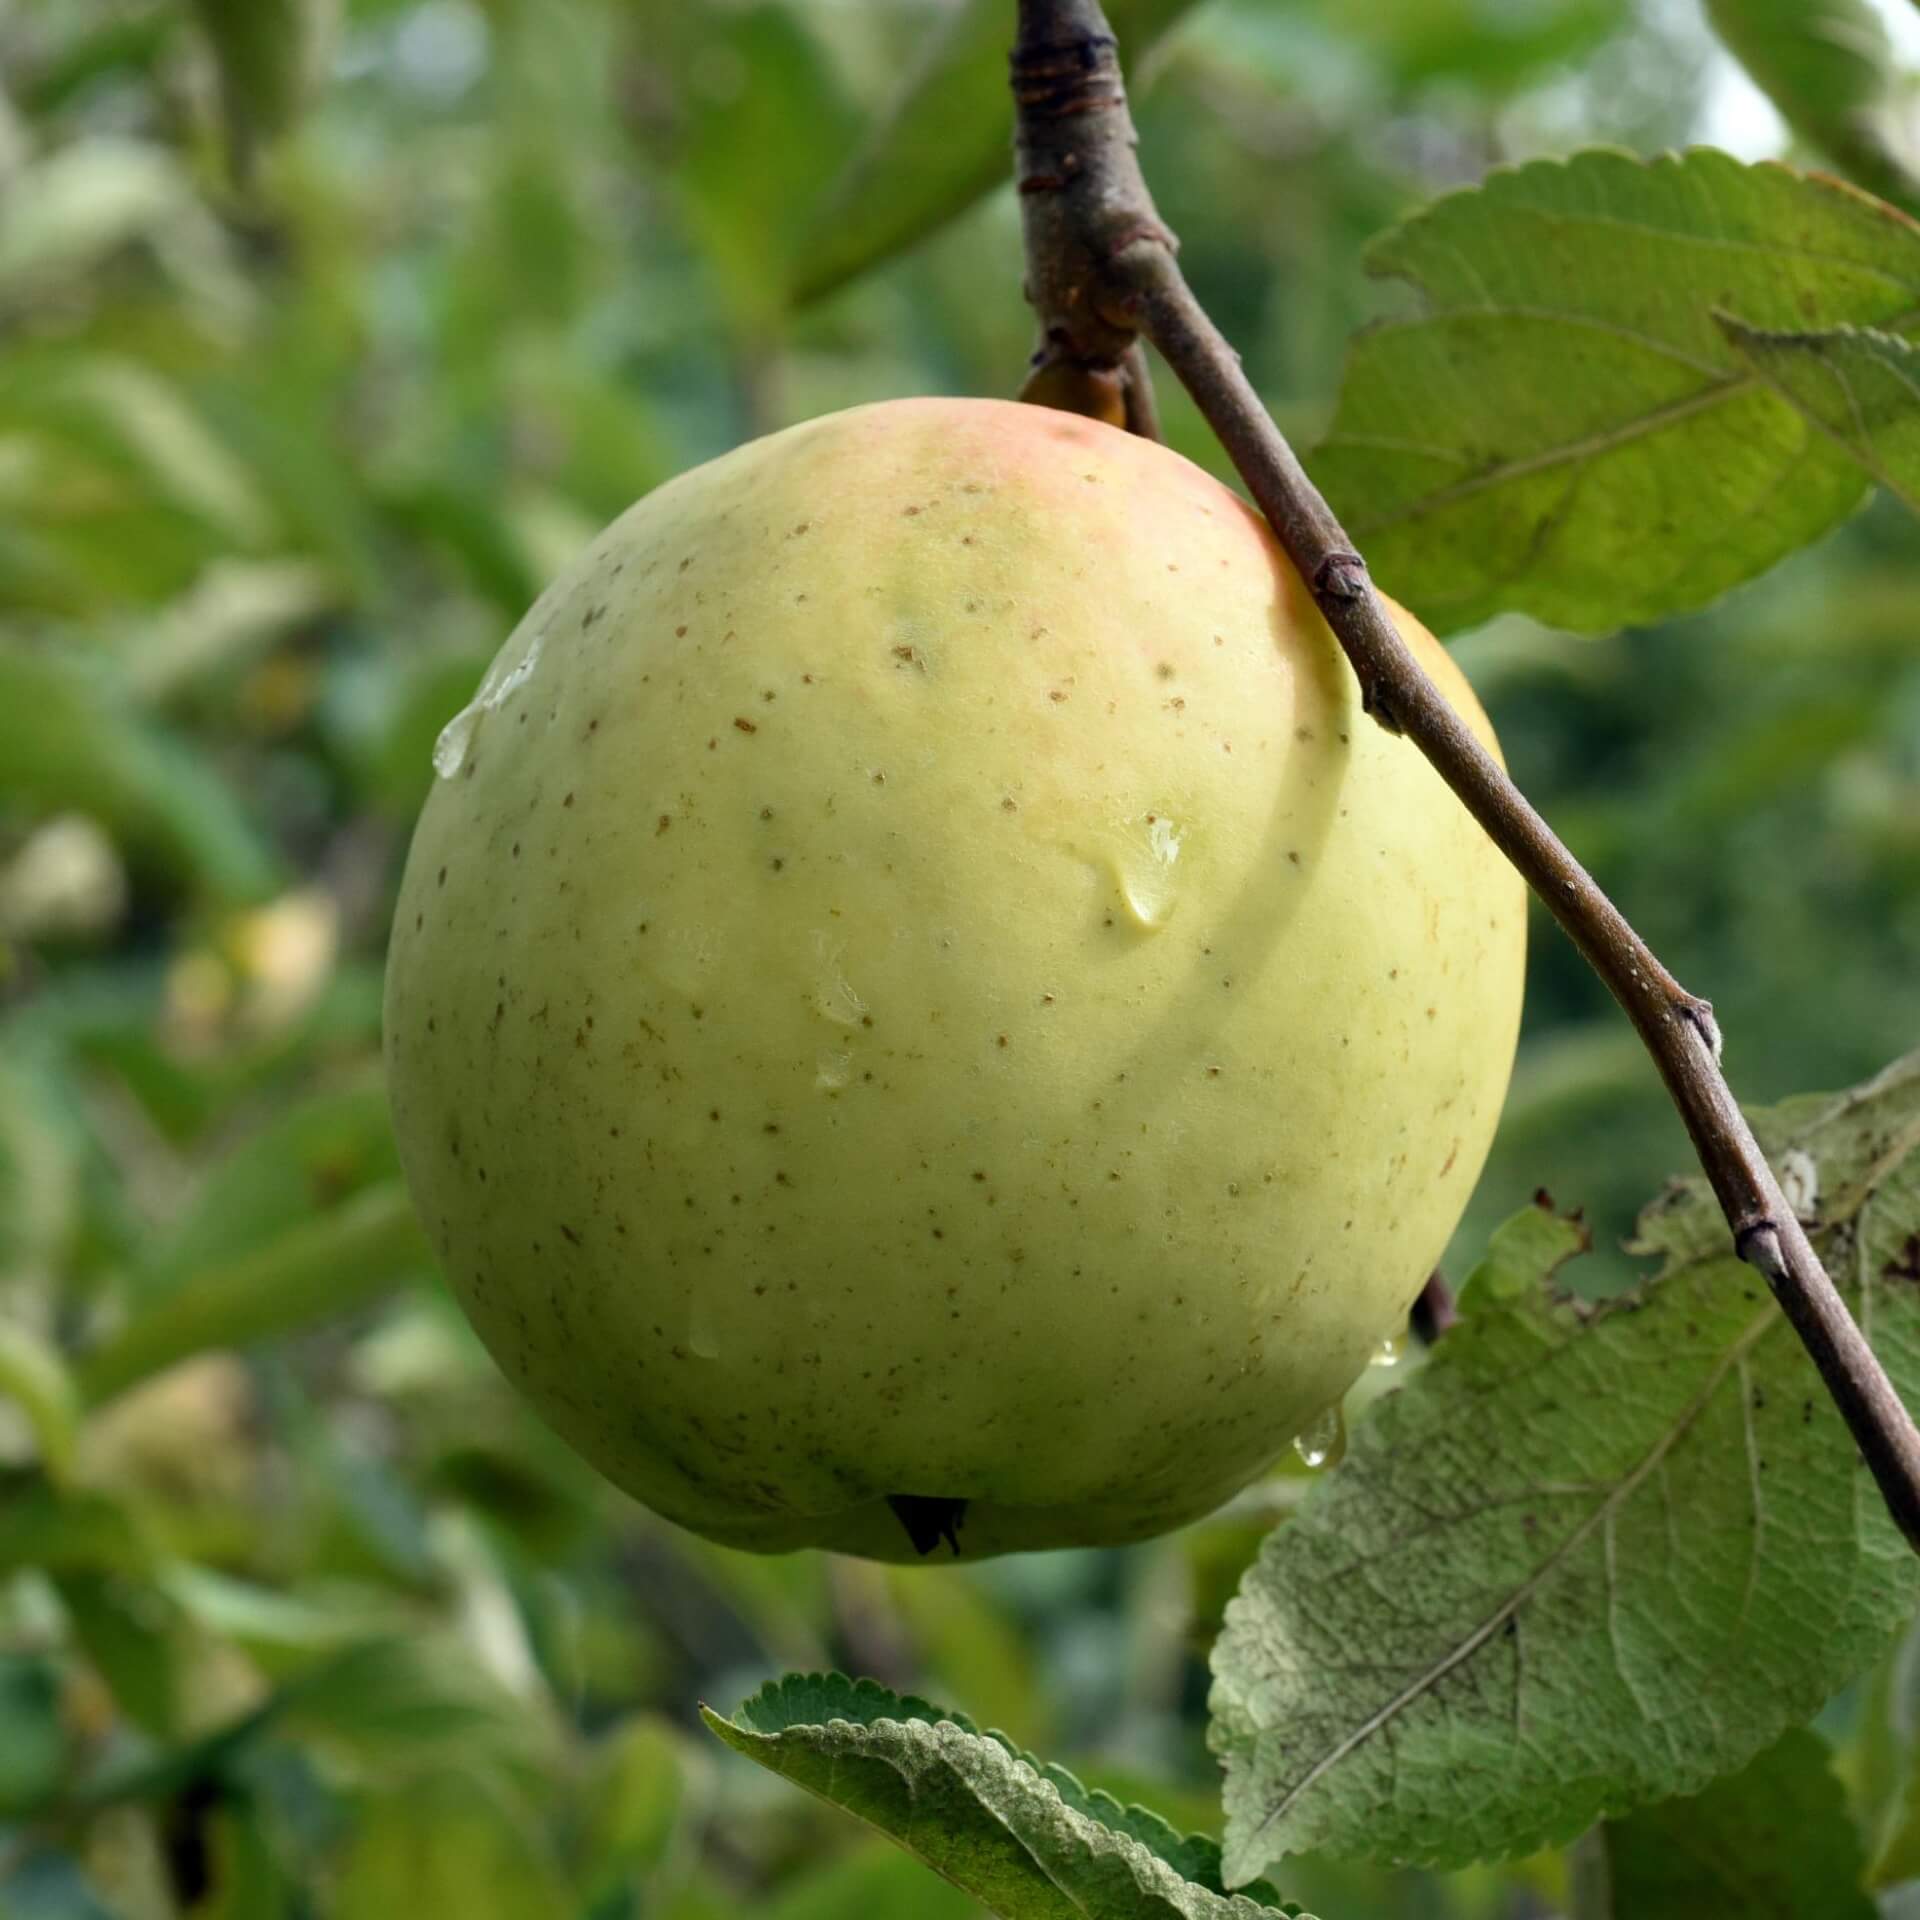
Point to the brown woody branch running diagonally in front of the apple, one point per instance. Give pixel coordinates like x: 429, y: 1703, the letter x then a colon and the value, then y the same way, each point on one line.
x: 1101, y: 276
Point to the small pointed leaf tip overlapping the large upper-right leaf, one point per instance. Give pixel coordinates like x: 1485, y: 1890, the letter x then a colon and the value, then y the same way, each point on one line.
x: 1860, y: 387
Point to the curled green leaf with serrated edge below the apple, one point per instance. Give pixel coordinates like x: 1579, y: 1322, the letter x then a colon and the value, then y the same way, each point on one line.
x: 1020, y: 1838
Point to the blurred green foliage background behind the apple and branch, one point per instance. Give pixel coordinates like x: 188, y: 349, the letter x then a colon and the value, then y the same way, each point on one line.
x: 299, y: 1612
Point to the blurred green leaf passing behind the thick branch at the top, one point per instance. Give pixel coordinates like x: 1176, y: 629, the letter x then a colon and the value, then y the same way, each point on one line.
x: 944, y: 143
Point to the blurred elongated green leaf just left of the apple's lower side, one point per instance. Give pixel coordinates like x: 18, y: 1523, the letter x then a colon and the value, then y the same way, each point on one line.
x: 310, y: 1274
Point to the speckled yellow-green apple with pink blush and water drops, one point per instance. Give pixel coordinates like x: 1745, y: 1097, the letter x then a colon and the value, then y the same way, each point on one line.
x: 924, y: 982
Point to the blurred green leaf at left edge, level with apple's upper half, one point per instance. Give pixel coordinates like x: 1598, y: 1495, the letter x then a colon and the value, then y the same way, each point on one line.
x: 68, y: 740
